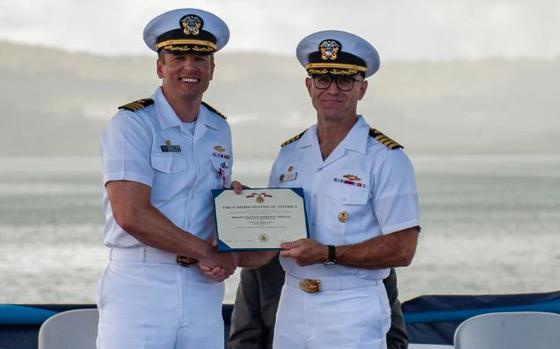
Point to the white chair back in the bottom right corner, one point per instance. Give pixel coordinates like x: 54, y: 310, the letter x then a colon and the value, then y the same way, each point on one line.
x: 513, y: 330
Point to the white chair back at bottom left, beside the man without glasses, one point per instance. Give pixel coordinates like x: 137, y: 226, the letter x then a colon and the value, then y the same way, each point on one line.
x: 70, y: 329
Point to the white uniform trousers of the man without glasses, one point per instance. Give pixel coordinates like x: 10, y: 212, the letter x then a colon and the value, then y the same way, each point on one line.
x: 147, y: 301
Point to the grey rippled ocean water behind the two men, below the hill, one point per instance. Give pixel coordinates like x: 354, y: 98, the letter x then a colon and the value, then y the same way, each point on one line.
x: 491, y: 224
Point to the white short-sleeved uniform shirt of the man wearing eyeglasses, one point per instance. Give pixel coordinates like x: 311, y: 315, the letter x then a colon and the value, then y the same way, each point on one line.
x: 369, y: 186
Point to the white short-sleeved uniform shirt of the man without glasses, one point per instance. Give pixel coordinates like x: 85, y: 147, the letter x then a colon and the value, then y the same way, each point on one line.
x: 152, y: 146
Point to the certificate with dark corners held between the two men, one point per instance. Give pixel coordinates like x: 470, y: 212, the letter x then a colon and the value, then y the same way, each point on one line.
x: 259, y: 219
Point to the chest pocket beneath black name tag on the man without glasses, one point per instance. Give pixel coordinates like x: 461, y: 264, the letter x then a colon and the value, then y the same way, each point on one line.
x: 167, y: 170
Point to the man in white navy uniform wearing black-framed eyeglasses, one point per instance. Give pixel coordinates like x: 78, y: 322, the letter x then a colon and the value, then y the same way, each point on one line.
x: 361, y: 204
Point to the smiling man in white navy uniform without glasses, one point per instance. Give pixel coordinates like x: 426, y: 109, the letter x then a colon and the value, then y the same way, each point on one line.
x: 161, y: 157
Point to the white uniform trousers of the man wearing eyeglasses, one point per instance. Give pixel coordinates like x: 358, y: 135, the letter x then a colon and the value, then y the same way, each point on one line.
x: 348, y: 313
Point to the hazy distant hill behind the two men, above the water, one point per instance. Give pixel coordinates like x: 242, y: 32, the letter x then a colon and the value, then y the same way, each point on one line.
x: 56, y: 102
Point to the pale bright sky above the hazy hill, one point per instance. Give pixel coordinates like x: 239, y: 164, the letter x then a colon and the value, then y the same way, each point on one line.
x: 404, y: 30
